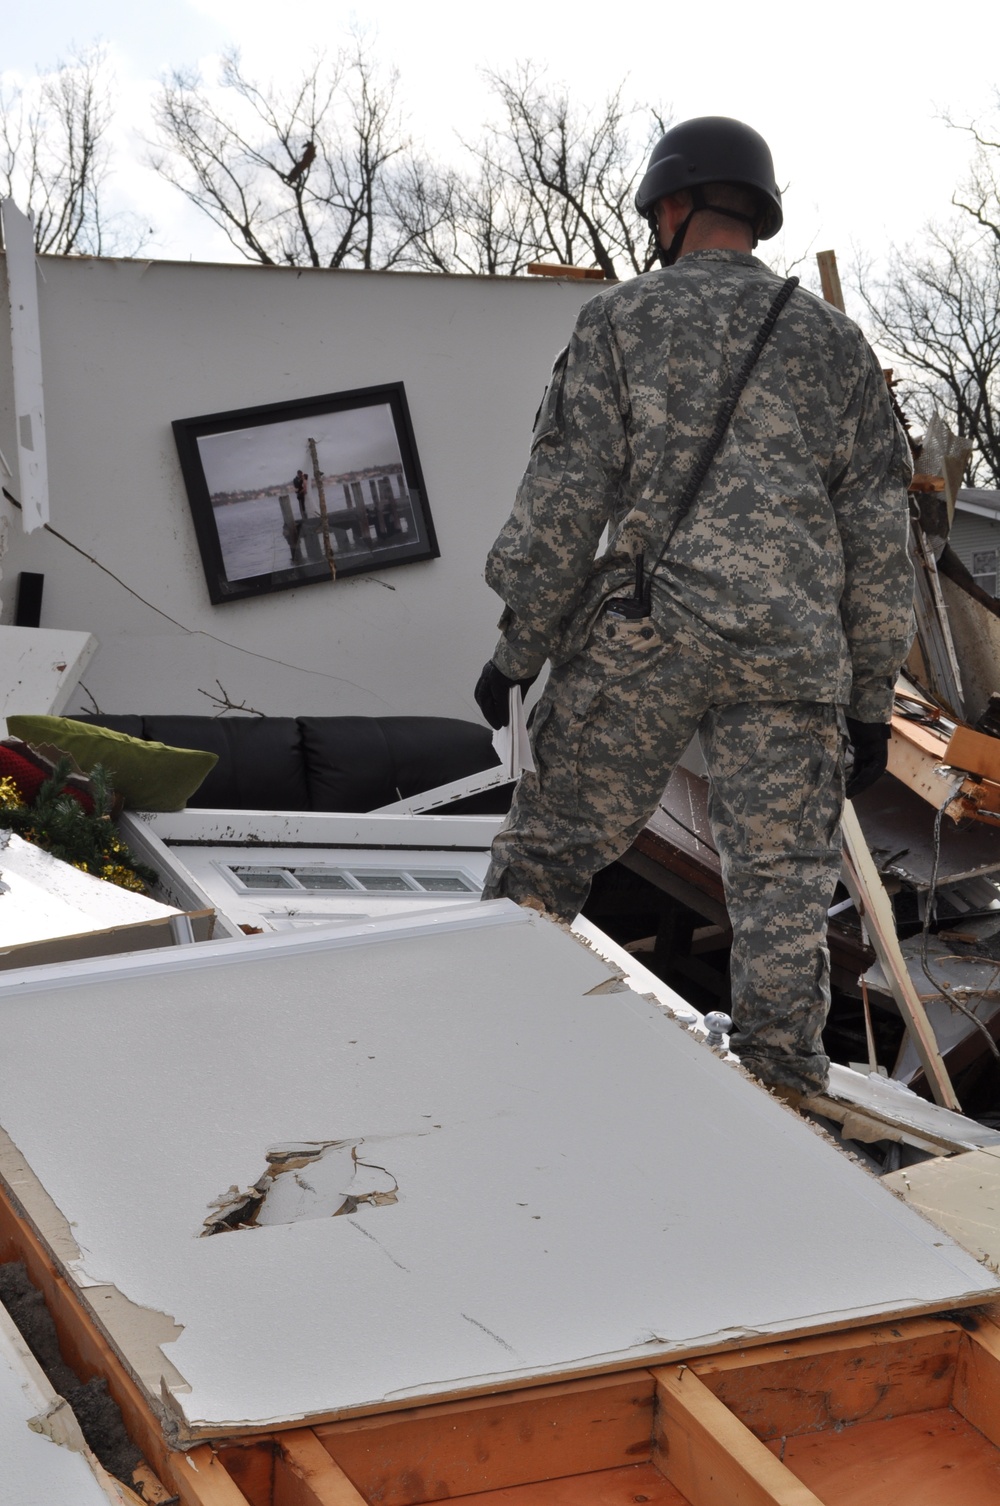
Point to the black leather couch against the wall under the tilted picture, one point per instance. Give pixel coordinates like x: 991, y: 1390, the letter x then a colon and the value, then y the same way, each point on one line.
x: 326, y: 763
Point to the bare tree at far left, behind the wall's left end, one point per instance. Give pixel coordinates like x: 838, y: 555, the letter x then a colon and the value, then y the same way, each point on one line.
x: 55, y: 159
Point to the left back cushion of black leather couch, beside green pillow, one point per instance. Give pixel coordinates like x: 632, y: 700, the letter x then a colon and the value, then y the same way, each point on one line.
x: 260, y: 760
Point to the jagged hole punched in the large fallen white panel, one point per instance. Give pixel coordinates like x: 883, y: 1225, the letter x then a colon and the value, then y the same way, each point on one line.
x: 305, y: 1180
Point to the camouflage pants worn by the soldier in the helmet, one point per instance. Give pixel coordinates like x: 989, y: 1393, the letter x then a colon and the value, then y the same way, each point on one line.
x: 608, y: 733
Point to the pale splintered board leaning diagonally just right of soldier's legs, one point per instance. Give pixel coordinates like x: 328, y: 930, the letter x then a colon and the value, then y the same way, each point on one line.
x: 870, y: 895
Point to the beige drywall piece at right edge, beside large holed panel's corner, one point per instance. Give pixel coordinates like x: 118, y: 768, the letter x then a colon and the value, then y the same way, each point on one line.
x: 962, y: 1195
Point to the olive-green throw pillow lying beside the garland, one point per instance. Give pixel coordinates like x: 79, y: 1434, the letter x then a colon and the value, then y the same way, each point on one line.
x: 148, y: 776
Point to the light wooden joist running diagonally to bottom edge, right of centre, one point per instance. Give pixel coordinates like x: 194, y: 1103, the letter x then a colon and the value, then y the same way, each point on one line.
x: 709, y: 1454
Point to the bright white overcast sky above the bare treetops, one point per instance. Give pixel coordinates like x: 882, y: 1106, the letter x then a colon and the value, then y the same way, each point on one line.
x: 850, y: 97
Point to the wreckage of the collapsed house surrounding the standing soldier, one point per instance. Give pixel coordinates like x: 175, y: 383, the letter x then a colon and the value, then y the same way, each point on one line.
x: 325, y: 1184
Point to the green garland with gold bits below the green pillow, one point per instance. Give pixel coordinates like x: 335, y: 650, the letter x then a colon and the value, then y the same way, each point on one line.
x: 59, y: 825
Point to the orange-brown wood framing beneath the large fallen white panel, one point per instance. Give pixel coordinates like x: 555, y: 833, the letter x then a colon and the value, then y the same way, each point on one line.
x: 891, y: 1412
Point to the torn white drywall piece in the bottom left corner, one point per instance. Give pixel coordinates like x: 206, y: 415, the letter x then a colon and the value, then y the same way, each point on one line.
x: 44, y: 1460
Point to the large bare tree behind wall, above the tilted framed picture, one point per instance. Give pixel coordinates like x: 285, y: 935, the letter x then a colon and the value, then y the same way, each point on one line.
x: 297, y: 177
